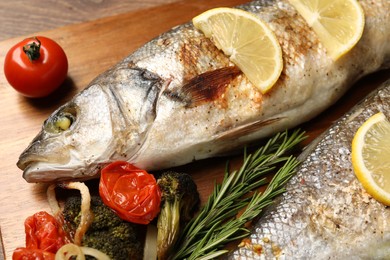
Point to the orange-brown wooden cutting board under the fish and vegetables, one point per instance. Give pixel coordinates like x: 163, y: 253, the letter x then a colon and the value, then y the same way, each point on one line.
x: 91, y: 49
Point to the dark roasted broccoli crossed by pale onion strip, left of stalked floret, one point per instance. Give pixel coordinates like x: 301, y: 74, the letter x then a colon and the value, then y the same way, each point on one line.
x: 107, y: 233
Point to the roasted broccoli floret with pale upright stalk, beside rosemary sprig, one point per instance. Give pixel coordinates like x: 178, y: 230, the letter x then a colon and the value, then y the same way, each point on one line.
x: 180, y: 200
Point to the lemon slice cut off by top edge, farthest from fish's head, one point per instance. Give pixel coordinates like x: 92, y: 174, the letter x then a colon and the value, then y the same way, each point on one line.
x: 338, y: 24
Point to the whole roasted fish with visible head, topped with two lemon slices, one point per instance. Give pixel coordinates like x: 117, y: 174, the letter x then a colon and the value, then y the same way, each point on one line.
x: 178, y: 98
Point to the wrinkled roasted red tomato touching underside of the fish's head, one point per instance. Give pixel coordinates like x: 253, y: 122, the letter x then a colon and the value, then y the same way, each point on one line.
x: 131, y: 192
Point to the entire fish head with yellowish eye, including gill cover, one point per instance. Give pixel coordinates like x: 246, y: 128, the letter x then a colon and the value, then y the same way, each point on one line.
x: 105, y: 122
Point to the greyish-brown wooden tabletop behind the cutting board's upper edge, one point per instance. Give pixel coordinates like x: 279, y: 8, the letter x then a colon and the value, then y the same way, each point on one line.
x: 21, y: 17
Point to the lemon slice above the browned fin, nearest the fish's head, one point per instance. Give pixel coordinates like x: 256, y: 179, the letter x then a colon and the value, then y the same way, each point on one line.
x: 247, y: 41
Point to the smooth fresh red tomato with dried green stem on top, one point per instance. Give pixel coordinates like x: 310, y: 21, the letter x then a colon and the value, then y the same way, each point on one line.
x: 35, y: 67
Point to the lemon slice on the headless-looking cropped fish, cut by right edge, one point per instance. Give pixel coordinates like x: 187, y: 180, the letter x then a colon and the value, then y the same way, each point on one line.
x: 371, y: 157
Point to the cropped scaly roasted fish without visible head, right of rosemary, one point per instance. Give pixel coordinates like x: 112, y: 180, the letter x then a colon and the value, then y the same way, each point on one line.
x: 325, y: 212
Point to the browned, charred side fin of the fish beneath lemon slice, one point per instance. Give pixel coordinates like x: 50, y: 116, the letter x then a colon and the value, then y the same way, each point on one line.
x: 207, y: 86
